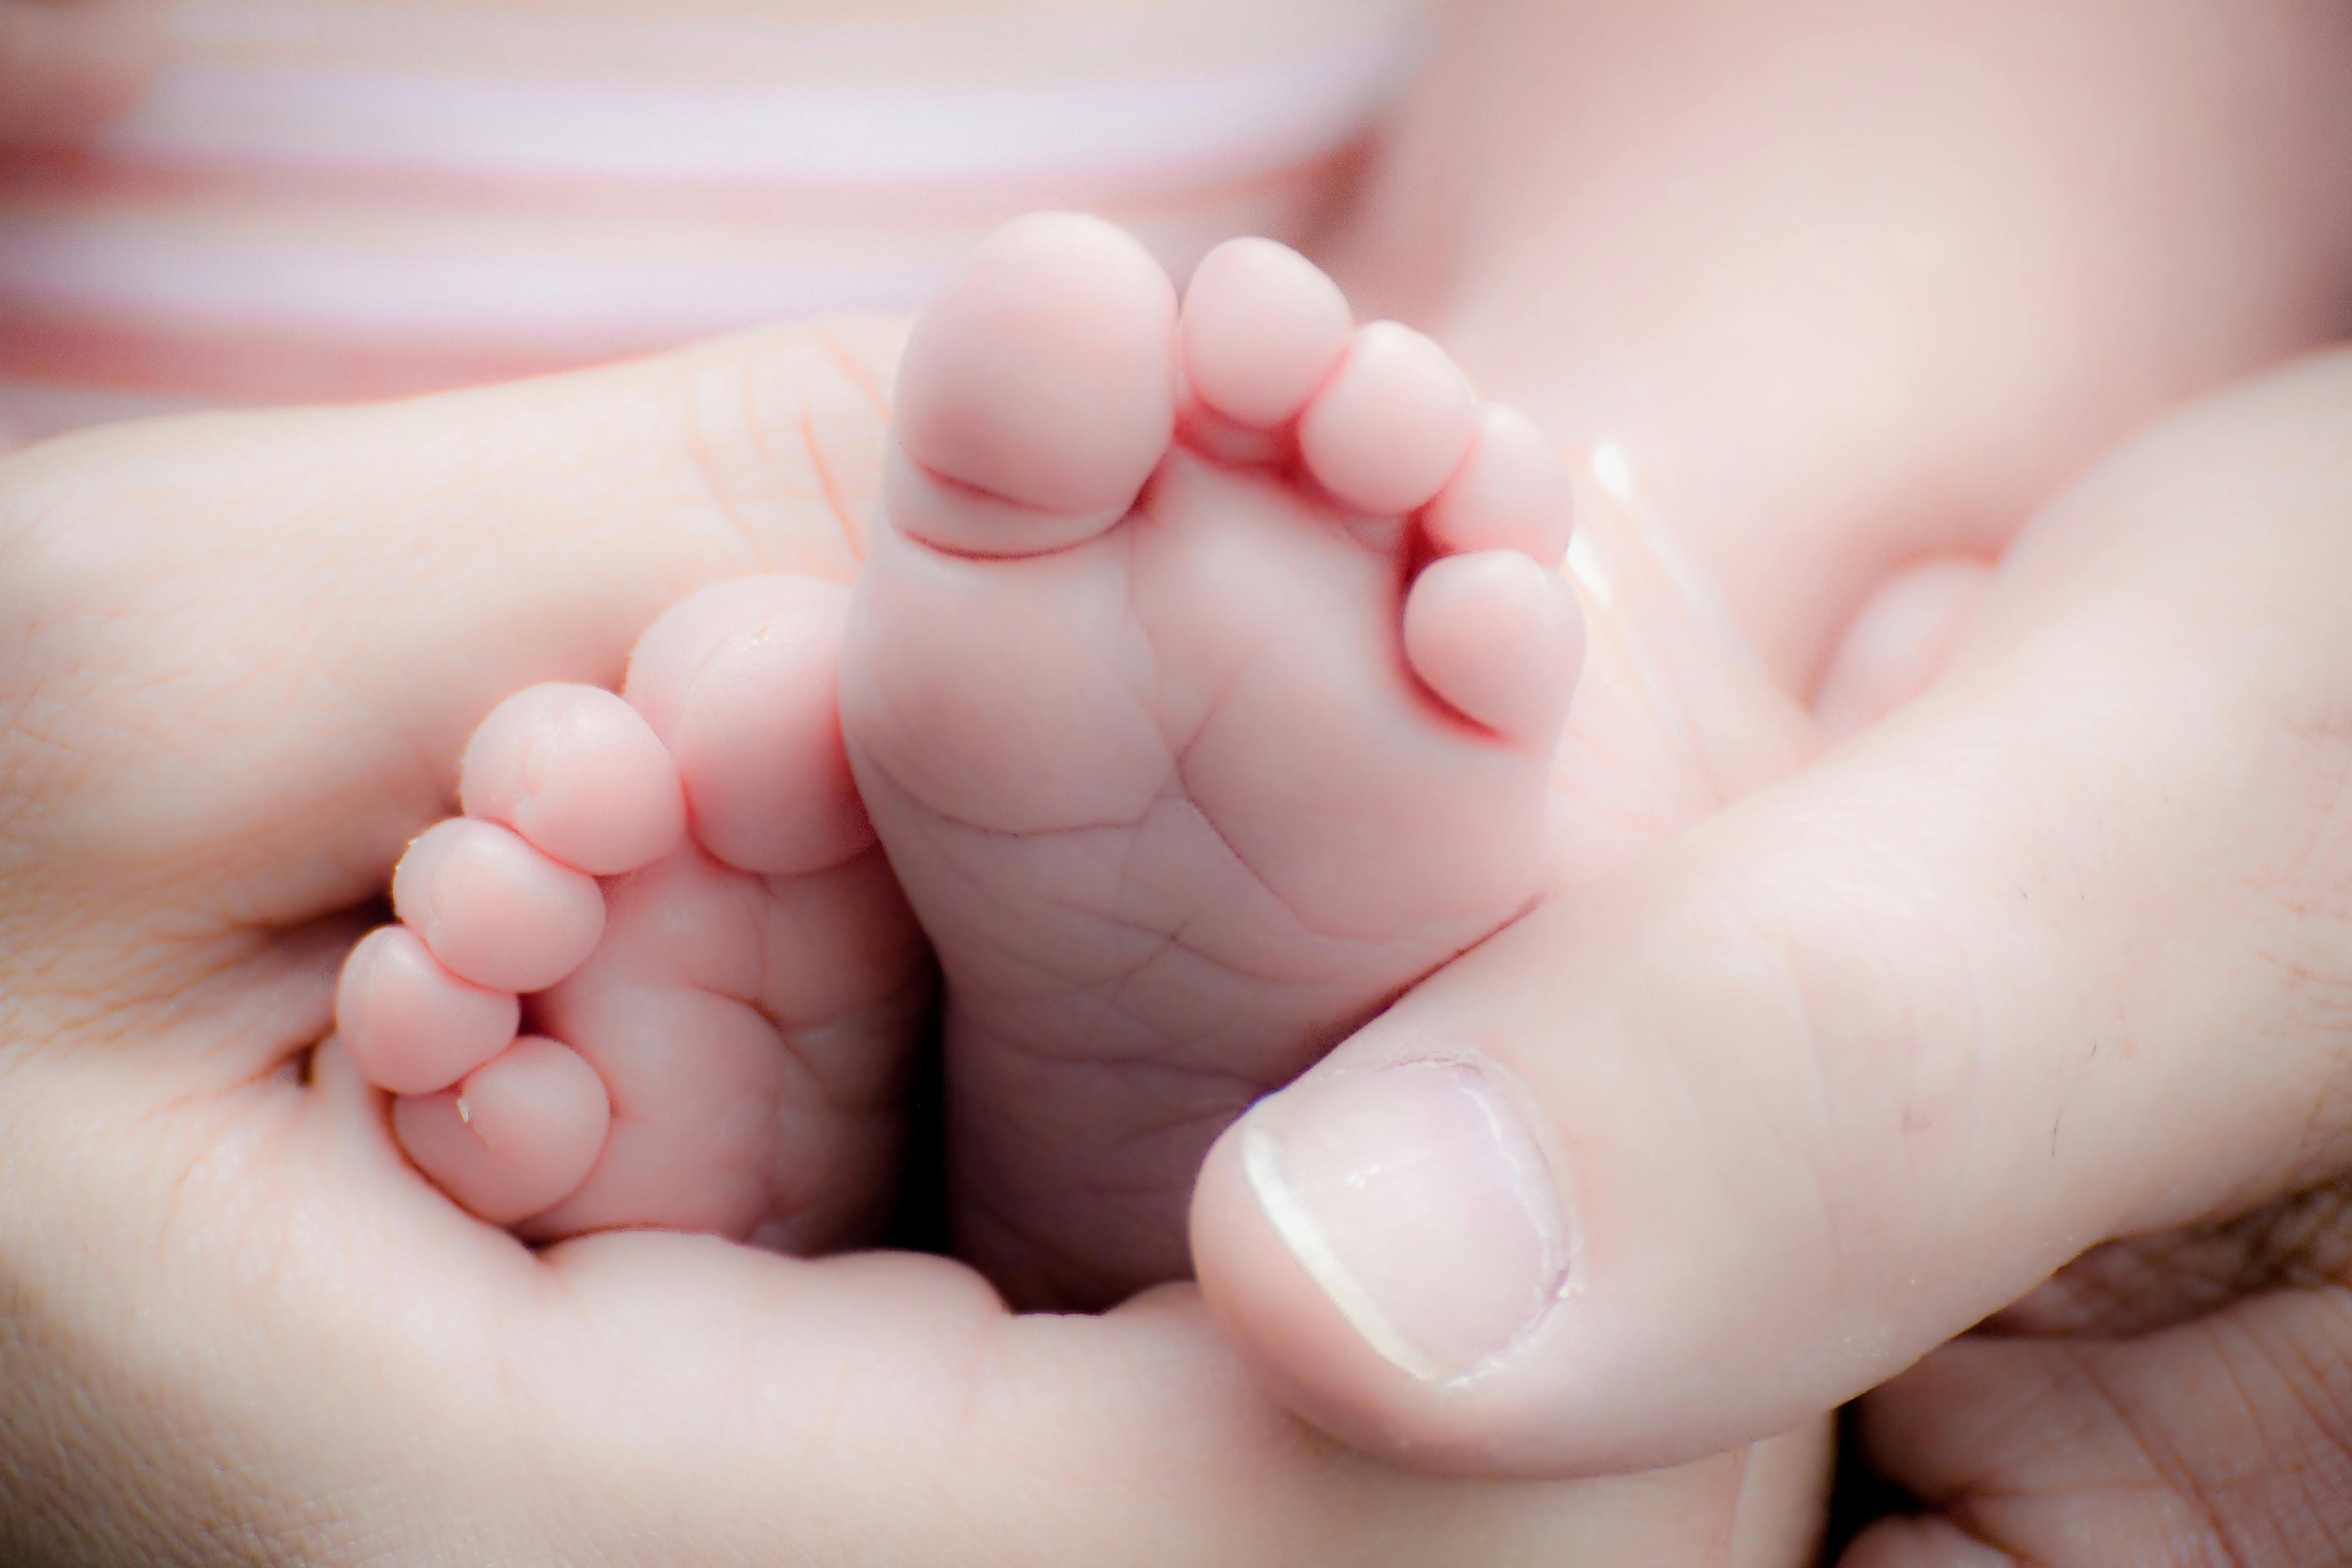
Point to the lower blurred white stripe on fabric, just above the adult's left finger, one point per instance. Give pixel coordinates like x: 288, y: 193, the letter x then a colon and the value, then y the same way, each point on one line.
x: 505, y: 295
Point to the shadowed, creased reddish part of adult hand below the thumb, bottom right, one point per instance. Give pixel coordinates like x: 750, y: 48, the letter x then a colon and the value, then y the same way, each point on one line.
x: 2181, y: 1398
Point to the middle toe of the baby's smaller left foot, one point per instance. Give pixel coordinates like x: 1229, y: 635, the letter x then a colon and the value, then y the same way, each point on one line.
x: 493, y: 909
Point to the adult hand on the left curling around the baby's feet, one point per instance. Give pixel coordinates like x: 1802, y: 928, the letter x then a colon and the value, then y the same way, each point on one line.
x: 239, y: 659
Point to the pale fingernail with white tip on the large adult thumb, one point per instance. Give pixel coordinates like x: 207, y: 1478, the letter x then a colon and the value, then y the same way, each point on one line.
x: 1422, y: 1207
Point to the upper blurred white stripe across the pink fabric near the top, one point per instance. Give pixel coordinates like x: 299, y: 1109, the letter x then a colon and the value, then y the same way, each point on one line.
x: 1250, y: 116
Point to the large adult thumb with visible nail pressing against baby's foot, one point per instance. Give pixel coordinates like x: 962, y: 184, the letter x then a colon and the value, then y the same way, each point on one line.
x: 2057, y: 956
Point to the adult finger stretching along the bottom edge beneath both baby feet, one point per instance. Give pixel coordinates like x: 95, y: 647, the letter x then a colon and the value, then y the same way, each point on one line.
x: 236, y: 1329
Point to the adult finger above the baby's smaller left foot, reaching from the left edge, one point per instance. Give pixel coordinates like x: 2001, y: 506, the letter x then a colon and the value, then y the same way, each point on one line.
x: 302, y: 615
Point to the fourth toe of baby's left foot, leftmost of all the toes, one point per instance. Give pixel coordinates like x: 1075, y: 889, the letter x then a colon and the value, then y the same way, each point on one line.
x: 408, y: 1024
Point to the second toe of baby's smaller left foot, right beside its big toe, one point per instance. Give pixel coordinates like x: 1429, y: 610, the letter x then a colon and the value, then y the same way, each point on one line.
x: 580, y: 777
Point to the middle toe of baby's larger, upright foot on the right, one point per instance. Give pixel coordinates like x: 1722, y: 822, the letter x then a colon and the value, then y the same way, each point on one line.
x: 1391, y: 427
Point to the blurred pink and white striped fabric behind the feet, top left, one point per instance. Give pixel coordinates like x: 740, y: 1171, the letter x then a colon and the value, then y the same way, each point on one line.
x: 335, y: 201
